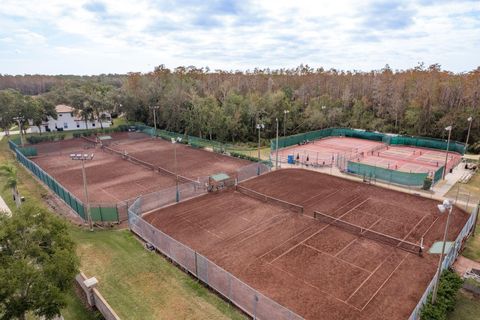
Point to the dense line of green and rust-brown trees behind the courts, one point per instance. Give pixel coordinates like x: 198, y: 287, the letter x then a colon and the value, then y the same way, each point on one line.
x: 227, y: 105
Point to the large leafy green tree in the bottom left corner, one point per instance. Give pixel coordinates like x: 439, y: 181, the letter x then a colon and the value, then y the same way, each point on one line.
x: 37, y: 263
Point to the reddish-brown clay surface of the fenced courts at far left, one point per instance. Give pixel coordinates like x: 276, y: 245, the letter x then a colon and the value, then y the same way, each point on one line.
x: 112, y: 179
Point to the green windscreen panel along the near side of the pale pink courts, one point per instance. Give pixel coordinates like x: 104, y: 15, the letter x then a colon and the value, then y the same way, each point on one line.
x: 387, y: 175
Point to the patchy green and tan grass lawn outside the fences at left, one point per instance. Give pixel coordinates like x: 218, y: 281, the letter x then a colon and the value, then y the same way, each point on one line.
x: 138, y: 284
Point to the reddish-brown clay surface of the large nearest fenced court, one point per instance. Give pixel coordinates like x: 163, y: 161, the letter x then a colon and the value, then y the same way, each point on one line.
x: 316, y: 270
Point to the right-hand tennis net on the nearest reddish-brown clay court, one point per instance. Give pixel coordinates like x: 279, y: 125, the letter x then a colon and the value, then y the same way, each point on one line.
x: 368, y: 233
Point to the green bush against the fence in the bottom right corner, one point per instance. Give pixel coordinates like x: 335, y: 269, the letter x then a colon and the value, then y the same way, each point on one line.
x: 450, y: 283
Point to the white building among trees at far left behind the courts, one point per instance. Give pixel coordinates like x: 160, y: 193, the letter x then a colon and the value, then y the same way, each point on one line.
x: 68, y: 119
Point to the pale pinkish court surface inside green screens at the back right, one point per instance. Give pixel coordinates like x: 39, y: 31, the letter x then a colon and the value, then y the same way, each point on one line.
x: 401, y: 158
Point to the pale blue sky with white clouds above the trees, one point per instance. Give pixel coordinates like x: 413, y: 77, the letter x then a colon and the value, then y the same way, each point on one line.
x: 119, y: 36
